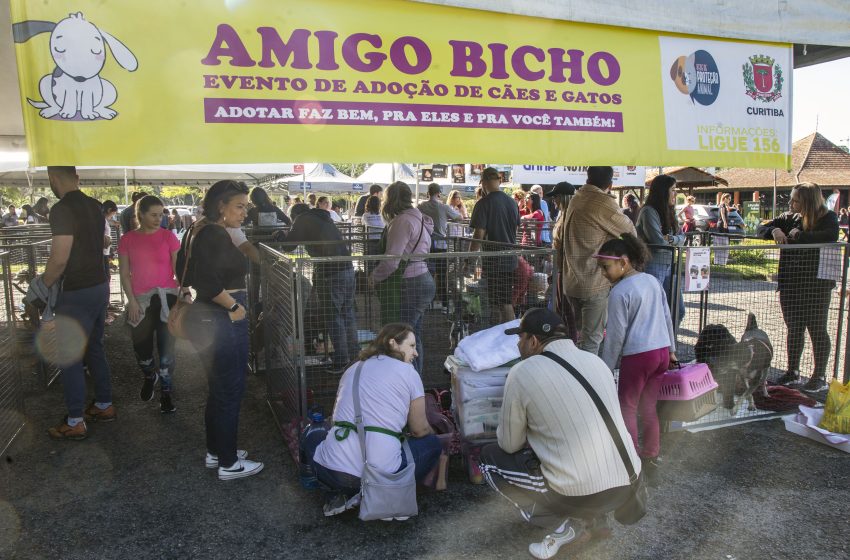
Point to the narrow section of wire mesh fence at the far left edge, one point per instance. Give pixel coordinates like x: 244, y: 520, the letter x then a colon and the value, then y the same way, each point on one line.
x: 11, y: 395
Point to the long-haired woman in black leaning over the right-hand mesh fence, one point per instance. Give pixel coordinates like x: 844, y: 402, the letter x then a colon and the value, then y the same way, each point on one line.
x: 803, y: 297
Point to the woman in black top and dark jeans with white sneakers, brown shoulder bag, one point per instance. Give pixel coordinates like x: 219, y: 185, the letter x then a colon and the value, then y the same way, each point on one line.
x: 219, y: 330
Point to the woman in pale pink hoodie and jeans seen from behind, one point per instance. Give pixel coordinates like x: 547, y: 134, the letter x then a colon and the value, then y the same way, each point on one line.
x: 408, y: 232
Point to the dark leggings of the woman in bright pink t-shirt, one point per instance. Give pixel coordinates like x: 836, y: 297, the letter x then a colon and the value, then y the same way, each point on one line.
x: 143, y: 336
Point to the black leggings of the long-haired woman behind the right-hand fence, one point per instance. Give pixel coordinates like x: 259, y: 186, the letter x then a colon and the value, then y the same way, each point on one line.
x: 802, y: 310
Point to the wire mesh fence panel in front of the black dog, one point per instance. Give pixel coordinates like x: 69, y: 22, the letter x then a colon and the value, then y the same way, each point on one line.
x: 770, y: 313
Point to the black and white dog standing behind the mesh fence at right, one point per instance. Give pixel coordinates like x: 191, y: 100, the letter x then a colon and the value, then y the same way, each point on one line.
x: 737, y: 366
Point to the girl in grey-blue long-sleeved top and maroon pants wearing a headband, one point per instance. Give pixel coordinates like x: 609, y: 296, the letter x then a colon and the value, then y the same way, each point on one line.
x: 639, y: 335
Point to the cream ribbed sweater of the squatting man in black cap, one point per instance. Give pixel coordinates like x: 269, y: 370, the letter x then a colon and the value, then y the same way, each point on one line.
x: 544, y: 405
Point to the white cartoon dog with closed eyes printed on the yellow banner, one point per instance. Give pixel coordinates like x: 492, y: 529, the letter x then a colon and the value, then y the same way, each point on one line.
x: 79, y: 49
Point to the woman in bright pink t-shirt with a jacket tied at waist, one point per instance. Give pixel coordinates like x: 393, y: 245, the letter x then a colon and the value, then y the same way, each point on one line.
x: 147, y: 256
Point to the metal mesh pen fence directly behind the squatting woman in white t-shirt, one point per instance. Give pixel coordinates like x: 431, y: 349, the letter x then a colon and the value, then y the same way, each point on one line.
x: 305, y: 313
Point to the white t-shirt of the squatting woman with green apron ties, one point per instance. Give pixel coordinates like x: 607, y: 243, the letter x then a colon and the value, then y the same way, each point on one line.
x: 387, y: 386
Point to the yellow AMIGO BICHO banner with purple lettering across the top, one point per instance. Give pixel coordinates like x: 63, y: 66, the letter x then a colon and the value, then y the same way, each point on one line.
x: 255, y: 81
